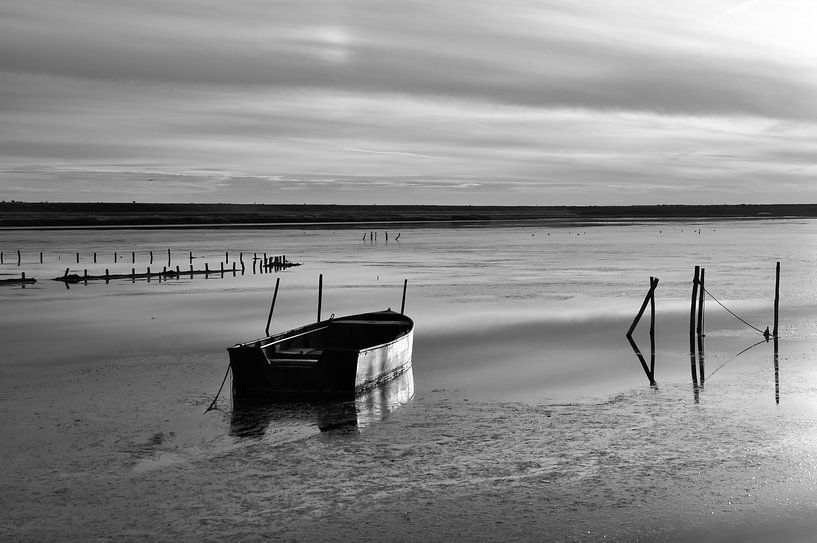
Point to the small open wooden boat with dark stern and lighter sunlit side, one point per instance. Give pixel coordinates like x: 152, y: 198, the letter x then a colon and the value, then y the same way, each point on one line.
x: 335, y: 358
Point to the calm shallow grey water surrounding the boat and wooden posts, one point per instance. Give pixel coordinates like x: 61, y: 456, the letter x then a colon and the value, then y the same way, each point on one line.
x: 528, y: 413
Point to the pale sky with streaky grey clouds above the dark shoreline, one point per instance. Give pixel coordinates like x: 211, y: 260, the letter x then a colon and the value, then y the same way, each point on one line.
x: 512, y: 102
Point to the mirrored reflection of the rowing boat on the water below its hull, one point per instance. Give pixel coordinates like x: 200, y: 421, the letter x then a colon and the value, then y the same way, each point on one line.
x: 257, y: 418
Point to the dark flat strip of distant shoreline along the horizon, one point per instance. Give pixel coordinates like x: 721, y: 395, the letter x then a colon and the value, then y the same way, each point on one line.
x: 127, y: 215
